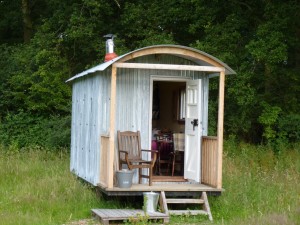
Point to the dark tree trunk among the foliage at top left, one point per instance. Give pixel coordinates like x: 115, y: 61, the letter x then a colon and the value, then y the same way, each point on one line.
x: 27, y: 21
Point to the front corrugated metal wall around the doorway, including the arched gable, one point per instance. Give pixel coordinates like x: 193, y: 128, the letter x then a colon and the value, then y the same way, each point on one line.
x: 133, y: 95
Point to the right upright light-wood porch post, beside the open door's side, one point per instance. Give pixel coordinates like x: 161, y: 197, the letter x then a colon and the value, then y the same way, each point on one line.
x: 220, y: 128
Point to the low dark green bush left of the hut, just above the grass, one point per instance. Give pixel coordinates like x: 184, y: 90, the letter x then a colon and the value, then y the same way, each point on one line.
x: 24, y: 129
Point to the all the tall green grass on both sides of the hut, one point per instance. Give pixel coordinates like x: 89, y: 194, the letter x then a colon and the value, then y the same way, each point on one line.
x: 36, y: 187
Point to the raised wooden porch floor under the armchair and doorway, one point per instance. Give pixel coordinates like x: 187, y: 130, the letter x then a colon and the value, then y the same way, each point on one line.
x: 175, y: 187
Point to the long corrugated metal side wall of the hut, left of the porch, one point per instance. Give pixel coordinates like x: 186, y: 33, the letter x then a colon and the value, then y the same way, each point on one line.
x: 90, y: 118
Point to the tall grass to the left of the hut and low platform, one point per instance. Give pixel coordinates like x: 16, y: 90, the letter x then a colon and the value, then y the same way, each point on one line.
x: 36, y: 187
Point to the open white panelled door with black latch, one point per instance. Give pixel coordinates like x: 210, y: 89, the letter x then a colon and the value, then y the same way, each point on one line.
x: 193, y: 129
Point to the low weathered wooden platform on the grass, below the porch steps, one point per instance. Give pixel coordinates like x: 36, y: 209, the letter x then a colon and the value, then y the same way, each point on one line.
x: 106, y: 215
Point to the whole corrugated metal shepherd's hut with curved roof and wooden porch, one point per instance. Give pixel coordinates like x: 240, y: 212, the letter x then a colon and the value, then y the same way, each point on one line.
x: 159, y: 91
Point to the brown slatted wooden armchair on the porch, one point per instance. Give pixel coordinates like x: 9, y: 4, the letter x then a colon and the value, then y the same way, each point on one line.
x: 130, y: 153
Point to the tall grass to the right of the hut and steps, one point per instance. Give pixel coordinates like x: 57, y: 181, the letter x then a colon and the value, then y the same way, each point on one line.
x: 261, y: 187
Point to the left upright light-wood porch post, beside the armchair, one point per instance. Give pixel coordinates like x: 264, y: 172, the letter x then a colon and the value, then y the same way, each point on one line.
x: 111, y: 151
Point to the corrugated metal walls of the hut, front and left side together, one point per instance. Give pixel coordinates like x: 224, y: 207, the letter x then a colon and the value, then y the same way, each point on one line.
x: 90, y: 109
